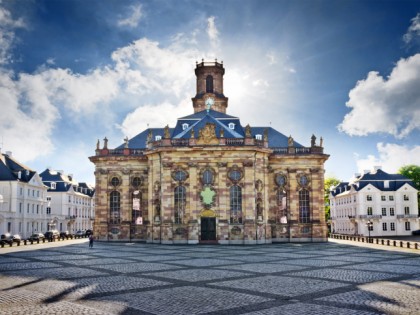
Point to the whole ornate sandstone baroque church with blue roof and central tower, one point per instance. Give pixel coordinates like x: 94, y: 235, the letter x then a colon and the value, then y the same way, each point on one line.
x: 209, y: 179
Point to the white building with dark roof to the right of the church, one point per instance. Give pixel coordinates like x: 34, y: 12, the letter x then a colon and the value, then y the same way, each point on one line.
x: 385, y: 202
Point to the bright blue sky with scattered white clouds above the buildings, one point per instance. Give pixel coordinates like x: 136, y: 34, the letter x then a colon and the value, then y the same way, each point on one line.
x: 75, y: 71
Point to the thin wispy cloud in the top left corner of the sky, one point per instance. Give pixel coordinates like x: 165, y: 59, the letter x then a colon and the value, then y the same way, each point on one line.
x: 7, y: 35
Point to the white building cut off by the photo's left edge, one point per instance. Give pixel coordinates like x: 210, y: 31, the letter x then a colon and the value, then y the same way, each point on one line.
x: 22, y: 199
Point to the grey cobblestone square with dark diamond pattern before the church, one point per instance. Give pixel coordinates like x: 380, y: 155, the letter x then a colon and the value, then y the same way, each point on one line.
x: 126, y: 278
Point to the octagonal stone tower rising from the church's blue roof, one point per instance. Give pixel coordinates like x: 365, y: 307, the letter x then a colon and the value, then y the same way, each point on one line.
x: 210, y: 87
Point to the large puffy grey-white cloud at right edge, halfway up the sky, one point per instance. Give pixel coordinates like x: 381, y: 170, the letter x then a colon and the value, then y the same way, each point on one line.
x: 386, y: 105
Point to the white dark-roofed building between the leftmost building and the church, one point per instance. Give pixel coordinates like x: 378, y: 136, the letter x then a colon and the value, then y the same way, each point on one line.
x: 71, y: 205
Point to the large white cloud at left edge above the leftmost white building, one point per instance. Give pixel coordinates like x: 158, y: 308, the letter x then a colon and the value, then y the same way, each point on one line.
x: 28, y: 116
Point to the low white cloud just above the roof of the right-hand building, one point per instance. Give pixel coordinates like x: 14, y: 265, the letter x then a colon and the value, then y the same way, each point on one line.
x: 391, y: 157
